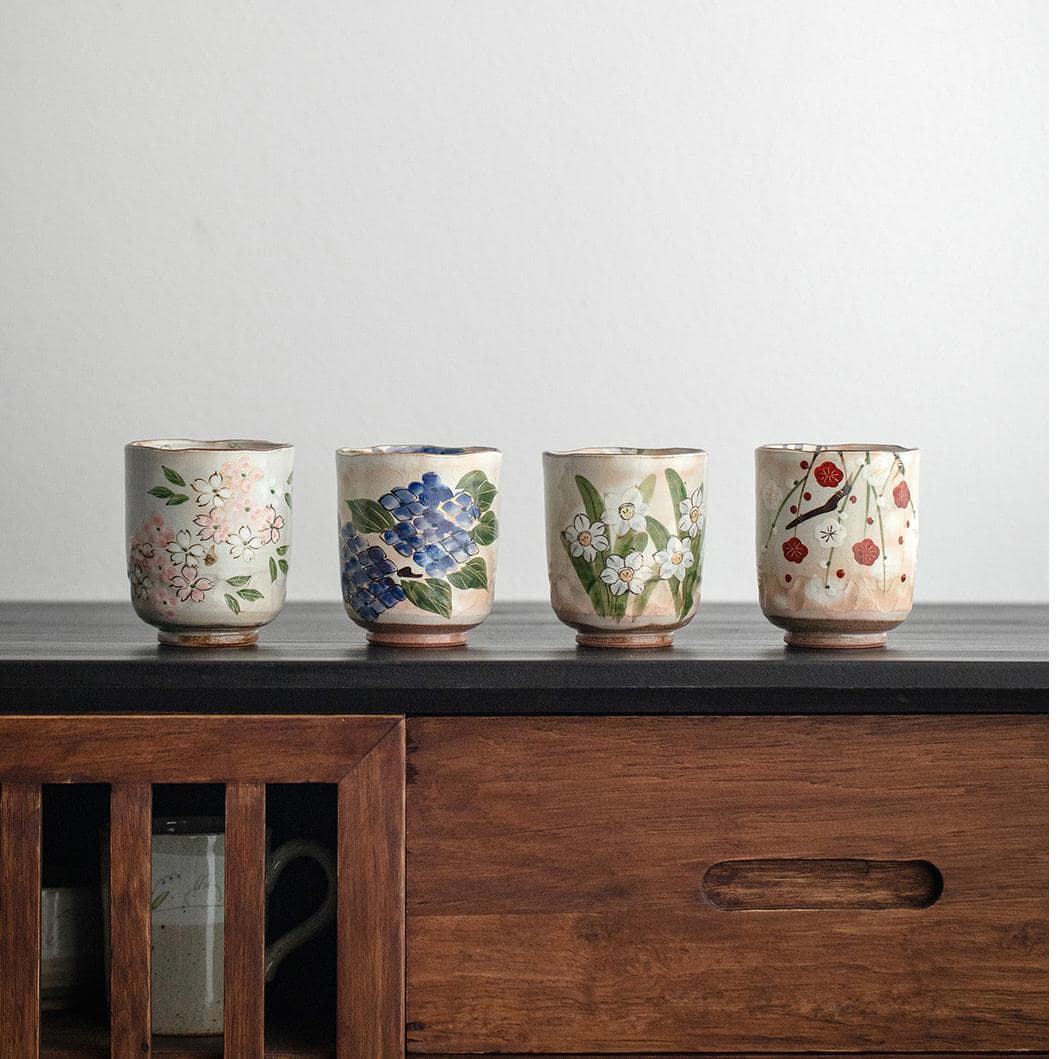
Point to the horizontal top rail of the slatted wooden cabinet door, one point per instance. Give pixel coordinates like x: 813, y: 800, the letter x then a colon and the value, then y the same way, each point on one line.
x: 185, y: 749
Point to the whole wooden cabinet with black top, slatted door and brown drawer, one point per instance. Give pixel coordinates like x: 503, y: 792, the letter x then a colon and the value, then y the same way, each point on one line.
x: 727, y: 849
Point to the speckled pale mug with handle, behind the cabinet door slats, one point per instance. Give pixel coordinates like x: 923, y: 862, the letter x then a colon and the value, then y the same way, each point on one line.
x: 188, y: 920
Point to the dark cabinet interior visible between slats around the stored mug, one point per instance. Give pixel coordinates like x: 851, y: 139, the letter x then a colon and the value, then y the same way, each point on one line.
x: 300, y: 1003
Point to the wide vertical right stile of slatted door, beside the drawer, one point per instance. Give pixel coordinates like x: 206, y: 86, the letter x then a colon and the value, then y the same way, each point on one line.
x: 371, y: 905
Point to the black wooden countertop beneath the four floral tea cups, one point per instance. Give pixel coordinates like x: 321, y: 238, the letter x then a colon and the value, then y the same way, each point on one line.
x: 100, y: 658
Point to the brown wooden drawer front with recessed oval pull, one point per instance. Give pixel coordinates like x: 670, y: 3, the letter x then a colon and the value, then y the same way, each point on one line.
x: 555, y: 892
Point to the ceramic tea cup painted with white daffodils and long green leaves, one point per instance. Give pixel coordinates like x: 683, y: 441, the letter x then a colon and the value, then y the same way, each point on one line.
x: 625, y: 542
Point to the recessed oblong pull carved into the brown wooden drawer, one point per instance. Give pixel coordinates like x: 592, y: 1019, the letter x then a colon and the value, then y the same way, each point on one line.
x: 746, y: 885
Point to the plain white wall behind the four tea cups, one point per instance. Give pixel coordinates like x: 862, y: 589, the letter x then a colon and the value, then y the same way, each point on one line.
x: 529, y: 224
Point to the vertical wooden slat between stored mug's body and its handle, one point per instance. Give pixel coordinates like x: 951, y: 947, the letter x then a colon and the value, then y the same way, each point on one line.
x: 245, y: 922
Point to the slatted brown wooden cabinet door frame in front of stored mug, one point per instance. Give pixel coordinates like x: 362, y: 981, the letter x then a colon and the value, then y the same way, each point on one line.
x: 363, y: 756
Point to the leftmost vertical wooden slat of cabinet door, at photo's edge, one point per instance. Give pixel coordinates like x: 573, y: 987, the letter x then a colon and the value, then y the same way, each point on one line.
x: 20, y: 921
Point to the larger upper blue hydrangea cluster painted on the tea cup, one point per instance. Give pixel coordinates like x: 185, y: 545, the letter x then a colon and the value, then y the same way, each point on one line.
x: 432, y: 525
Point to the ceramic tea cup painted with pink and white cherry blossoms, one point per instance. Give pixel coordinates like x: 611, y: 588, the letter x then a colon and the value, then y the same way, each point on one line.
x: 209, y: 537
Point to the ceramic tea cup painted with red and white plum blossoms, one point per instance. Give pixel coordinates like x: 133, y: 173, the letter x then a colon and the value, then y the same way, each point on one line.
x: 837, y: 533
